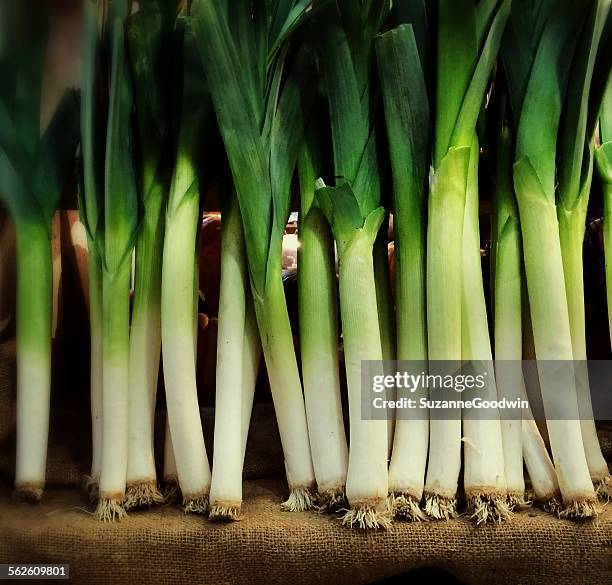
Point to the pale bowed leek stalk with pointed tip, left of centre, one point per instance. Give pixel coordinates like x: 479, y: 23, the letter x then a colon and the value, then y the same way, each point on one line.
x: 177, y: 319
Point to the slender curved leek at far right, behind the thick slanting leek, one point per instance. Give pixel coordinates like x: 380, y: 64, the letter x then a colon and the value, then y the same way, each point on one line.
x: 575, y: 164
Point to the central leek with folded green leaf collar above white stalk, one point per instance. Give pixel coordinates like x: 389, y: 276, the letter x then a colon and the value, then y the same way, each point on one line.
x: 354, y: 212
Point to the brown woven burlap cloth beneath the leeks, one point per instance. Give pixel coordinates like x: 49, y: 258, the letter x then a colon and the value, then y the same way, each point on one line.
x: 165, y: 546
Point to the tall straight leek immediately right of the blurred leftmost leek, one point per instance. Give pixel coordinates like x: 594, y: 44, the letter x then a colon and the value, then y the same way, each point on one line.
x: 109, y: 210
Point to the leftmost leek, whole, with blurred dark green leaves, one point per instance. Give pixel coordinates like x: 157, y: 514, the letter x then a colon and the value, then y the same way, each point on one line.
x: 32, y: 172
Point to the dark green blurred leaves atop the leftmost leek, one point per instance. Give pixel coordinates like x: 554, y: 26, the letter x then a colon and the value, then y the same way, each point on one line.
x: 35, y: 167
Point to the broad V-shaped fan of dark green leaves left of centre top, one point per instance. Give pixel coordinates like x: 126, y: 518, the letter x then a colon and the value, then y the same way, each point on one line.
x: 261, y: 124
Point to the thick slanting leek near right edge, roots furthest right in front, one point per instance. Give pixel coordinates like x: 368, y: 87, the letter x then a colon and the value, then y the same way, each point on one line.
x: 536, y: 82
